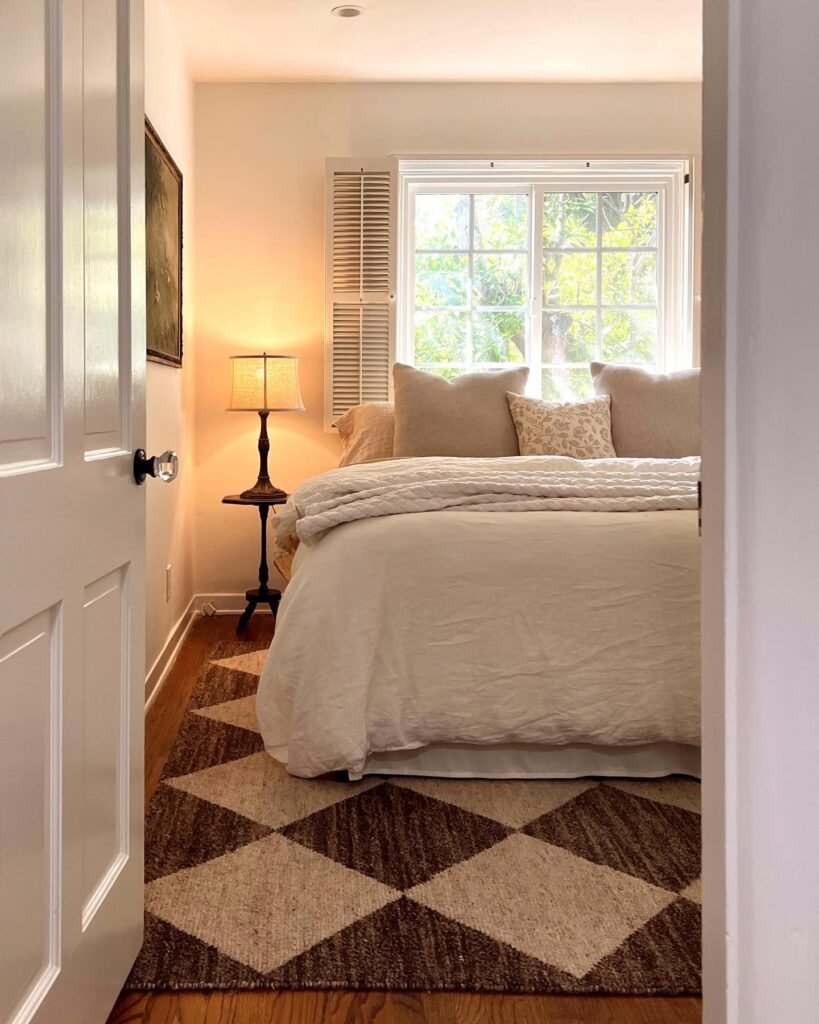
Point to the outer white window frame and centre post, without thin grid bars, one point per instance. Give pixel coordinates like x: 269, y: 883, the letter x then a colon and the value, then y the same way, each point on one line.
x: 670, y: 178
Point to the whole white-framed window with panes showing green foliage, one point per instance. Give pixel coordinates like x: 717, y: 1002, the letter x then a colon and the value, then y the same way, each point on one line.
x: 553, y: 266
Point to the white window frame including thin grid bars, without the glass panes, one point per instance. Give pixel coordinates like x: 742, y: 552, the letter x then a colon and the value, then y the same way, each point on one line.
x: 667, y: 178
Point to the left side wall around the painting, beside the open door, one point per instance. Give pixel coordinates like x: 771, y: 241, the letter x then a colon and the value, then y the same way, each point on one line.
x: 169, y: 99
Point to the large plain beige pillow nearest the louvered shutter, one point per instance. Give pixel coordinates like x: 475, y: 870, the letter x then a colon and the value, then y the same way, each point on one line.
x: 468, y: 417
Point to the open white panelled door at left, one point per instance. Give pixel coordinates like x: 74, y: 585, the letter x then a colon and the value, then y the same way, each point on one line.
x: 72, y: 520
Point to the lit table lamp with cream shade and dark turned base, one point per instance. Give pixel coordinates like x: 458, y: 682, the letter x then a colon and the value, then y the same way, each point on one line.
x: 265, y: 385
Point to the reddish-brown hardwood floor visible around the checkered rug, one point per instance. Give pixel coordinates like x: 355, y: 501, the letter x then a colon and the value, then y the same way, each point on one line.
x: 162, y: 726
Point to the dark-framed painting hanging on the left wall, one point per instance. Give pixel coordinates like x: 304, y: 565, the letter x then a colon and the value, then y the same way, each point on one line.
x: 163, y: 252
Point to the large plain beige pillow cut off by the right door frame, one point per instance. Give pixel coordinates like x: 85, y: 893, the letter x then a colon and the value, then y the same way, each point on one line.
x: 654, y: 416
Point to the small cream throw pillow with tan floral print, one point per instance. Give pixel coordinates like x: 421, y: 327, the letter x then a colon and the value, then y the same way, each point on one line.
x: 579, y: 430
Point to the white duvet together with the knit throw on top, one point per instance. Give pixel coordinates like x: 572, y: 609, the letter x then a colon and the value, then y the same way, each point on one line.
x: 441, y: 603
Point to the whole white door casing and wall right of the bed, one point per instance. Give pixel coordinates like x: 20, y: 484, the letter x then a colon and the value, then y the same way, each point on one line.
x: 761, y: 496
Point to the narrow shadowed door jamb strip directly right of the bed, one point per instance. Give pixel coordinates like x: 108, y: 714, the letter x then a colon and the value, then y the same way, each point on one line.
x: 718, y: 412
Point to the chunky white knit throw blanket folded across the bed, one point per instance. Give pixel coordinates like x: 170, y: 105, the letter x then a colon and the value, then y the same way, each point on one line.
x: 553, y: 484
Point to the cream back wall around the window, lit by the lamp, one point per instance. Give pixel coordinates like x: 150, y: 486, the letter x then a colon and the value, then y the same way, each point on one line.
x: 260, y: 156
